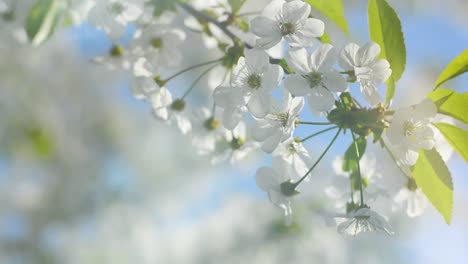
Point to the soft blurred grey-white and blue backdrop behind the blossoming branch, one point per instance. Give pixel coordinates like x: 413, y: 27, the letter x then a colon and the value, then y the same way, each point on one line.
x: 87, y: 175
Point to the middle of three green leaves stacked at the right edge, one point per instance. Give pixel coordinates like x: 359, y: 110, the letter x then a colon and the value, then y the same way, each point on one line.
x: 451, y: 103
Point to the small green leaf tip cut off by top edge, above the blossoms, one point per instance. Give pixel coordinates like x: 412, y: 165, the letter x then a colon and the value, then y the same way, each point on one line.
x: 333, y: 9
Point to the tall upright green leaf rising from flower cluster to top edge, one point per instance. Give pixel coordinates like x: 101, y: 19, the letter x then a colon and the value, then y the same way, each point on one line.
x: 385, y: 30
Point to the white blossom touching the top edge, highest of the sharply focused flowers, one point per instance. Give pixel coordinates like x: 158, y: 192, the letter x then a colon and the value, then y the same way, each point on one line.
x: 288, y: 20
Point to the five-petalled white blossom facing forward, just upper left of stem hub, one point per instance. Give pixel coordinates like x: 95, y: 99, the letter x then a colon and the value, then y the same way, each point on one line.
x: 315, y: 77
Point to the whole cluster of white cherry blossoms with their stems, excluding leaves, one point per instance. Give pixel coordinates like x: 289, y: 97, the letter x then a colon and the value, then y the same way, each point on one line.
x: 256, y: 98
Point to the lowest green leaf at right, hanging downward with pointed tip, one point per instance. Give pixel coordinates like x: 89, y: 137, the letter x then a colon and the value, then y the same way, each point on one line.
x: 434, y: 179
